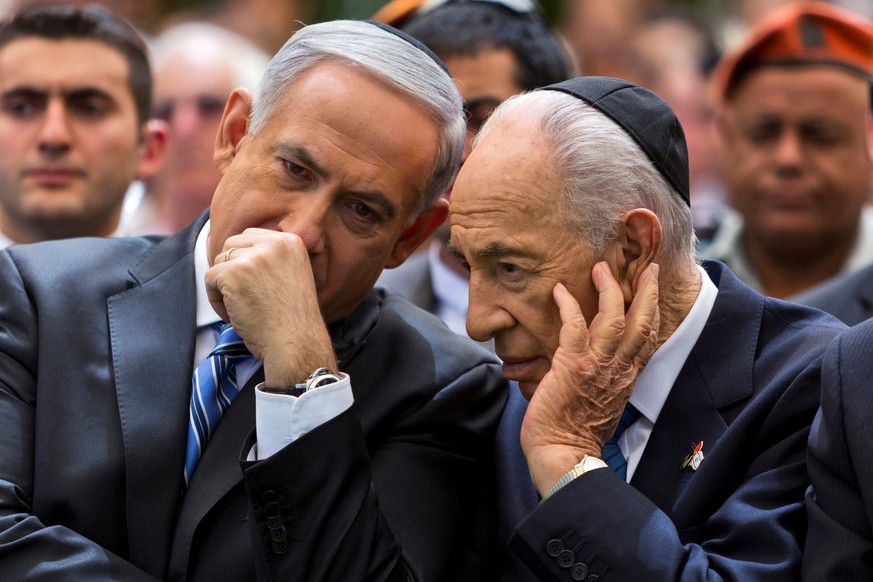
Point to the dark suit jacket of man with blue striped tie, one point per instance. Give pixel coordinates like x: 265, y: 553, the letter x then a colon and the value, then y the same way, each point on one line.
x: 96, y: 355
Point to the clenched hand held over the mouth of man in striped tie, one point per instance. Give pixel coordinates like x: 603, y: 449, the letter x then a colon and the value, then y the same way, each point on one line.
x: 265, y: 288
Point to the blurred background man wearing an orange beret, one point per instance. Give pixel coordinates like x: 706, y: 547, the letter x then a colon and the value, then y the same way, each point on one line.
x: 793, y: 106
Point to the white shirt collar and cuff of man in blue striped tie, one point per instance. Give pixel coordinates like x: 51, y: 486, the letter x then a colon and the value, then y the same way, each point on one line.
x: 279, y: 418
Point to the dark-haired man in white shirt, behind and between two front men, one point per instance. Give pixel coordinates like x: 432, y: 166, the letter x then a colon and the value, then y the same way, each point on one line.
x: 492, y: 51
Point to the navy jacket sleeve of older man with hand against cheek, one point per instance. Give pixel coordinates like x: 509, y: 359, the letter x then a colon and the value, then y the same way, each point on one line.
x: 749, y: 531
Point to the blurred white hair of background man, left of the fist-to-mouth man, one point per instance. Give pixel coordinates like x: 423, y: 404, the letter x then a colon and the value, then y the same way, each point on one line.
x: 247, y: 61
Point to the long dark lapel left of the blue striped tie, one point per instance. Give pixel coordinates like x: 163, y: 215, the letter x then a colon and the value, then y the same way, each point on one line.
x: 152, y: 352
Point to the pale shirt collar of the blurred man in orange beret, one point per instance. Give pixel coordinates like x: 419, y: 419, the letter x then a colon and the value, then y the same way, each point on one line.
x: 727, y: 247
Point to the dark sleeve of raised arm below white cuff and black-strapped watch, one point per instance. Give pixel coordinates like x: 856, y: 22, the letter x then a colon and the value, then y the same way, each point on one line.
x: 404, y: 510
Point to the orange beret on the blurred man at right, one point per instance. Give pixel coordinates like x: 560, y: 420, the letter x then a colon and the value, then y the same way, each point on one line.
x: 800, y: 33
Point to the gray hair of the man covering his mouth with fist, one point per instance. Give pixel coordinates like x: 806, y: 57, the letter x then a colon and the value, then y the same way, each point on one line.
x: 392, y: 61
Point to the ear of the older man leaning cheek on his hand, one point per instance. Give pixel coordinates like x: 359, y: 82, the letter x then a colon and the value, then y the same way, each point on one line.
x: 637, y: 245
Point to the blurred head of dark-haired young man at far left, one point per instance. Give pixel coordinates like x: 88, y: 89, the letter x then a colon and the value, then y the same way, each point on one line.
x: 70, y: 140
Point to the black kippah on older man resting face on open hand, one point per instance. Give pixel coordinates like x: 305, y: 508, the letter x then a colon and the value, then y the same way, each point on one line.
x: 644, y: 116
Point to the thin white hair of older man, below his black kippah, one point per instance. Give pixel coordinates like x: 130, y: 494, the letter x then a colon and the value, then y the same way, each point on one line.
x: 605, y: 174
